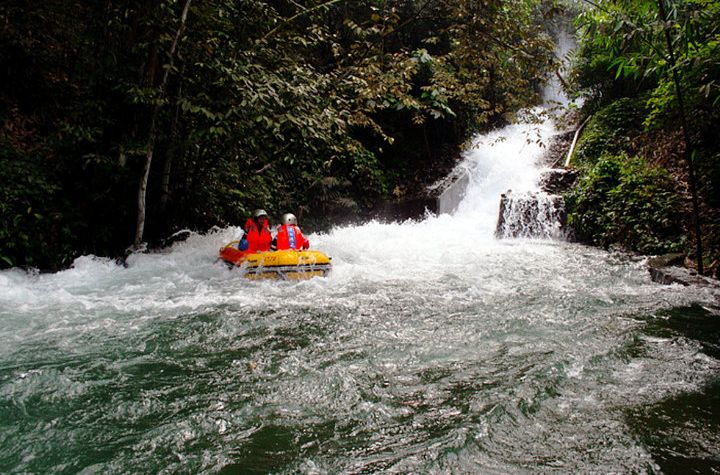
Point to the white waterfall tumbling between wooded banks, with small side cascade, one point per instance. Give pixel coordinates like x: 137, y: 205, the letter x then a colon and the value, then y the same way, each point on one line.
x: 509, y: 159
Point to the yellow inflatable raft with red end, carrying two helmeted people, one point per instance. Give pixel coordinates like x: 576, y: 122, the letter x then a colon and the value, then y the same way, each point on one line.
x: 286, y: 264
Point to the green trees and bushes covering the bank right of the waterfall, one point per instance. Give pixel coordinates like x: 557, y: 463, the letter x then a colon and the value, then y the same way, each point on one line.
x: 648, y: 68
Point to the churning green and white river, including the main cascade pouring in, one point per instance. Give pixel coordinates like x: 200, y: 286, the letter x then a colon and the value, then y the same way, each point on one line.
x: 432, y: 347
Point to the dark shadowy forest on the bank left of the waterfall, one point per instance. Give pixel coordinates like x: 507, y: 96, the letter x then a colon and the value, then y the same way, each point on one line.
x: 321, y: 108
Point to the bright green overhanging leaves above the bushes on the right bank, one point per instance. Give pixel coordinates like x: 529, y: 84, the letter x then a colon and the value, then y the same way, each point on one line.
x: 624, y: 54
